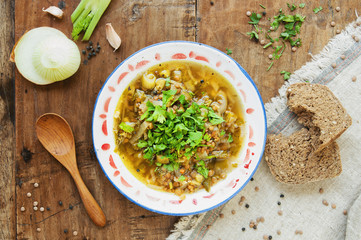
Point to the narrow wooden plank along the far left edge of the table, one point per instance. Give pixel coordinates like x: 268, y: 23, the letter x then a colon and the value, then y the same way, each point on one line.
x: 7, y: 165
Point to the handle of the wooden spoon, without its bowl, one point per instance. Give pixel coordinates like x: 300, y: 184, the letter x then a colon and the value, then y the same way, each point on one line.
x: 94, y: 211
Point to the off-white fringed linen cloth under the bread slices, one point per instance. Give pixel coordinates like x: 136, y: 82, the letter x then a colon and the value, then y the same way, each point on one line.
x: 302, y: 207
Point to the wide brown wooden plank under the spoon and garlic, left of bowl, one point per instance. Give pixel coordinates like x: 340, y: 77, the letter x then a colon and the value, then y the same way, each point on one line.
x: 139, y: 23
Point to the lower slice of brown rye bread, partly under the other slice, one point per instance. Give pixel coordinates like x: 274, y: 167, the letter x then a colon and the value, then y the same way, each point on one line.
x: 290, y: 161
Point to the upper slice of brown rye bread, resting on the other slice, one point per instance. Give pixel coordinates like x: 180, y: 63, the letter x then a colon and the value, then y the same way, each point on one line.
x: 316, y: 106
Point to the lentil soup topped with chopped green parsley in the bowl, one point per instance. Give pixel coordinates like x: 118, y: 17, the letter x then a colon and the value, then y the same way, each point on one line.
x: 179, y: 127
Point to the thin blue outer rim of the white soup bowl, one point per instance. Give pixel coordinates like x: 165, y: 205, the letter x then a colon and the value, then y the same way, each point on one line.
x: 250, y: 175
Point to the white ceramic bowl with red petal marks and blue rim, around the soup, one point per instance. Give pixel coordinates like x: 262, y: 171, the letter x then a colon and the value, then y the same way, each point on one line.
x: 104, y: 140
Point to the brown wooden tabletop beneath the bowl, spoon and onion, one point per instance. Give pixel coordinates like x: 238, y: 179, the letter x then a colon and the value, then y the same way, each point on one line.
x: 219, y: 23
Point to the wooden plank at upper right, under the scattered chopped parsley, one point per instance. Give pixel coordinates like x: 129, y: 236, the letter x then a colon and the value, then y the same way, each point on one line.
x: 225, y: 25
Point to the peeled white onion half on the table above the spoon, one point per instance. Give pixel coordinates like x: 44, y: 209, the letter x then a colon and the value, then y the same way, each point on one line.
x: 45, y: 55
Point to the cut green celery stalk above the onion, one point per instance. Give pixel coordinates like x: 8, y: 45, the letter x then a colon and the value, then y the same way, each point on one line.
x: 86, y: 16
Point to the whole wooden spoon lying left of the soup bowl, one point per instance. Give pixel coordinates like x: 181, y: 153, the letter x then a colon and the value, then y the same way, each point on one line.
x: 56, y: 136
